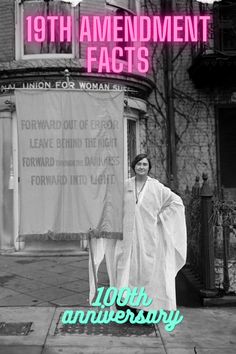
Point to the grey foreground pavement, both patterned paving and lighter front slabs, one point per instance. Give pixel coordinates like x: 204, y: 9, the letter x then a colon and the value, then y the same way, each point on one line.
x: 36, y: 290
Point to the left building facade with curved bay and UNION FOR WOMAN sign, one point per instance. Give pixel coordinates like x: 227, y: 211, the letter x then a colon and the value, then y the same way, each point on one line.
x: 57, y: 66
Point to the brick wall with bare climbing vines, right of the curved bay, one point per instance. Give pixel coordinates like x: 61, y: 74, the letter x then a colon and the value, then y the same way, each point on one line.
x: 194, y: 118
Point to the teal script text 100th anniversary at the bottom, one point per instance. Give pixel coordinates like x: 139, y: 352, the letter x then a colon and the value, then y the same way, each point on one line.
x: 123, y: 297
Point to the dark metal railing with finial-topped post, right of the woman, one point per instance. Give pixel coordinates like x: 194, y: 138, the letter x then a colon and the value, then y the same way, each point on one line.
x: 211, y: 225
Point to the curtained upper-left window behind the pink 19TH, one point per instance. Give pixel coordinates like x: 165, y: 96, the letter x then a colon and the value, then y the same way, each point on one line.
x: 45, y: 8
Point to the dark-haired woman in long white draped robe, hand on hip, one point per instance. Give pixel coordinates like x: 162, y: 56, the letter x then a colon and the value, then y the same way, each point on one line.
x: 153, y: 248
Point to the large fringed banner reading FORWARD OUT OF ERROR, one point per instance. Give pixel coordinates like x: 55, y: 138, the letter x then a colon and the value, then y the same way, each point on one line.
x: 70, y: 163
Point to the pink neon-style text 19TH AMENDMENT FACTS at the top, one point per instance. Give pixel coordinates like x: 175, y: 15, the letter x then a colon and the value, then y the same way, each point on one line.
x: 129, y: 35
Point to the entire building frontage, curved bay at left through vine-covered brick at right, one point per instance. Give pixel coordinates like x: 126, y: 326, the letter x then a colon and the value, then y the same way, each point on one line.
x: 199, y: 94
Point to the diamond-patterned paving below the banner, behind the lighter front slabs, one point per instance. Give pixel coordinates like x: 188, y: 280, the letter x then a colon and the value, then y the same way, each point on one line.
x: 45, y: 281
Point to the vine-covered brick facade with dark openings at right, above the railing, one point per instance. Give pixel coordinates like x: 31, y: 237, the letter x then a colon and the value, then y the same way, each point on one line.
x: 203, y: 93
